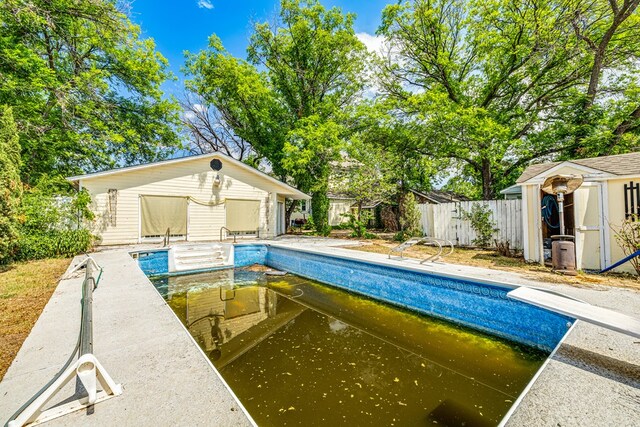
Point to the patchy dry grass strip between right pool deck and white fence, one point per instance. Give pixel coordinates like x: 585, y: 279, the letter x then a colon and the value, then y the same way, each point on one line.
x: 492, y: 260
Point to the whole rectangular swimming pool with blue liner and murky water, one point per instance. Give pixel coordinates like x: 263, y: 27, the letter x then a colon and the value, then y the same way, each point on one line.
x: 382, y: 343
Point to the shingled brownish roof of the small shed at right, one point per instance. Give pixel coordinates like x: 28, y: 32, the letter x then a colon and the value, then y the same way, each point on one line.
x: 619, y: 165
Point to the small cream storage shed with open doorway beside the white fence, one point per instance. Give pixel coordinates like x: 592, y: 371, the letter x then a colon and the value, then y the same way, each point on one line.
x: 609, y: 194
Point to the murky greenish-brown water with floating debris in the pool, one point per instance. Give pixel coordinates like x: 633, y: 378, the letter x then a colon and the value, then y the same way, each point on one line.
x: 297, y: 352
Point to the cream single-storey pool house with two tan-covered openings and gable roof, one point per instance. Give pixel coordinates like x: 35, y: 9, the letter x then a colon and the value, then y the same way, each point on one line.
x: 195, y: 198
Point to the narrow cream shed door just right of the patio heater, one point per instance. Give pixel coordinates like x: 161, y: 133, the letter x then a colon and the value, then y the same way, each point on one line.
x: 588, y: 220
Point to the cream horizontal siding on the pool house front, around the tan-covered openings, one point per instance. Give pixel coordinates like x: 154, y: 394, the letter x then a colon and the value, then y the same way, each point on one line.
x: 190, y: 178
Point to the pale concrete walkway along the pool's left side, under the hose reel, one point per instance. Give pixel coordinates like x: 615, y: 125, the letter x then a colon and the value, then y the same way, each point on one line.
x: 167, y: 380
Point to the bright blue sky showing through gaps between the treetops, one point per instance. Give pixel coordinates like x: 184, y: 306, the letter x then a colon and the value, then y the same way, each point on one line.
x: 177, y: 26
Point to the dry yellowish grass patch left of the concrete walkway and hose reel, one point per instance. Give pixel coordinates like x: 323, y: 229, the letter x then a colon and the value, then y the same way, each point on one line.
x: 25, y: 288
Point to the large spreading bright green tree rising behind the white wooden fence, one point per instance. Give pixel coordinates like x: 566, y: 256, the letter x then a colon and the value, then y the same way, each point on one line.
x: 491, y: 84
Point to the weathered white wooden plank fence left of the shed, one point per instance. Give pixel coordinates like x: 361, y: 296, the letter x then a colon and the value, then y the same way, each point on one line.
x: 444, y: 221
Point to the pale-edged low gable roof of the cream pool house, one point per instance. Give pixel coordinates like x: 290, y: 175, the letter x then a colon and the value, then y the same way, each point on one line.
x: 285, y: 189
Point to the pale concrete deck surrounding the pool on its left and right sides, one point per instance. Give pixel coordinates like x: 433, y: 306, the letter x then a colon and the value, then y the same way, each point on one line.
x: 593, y: 378
